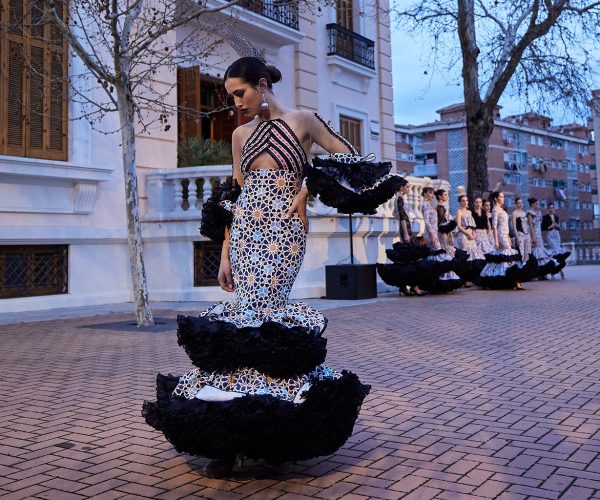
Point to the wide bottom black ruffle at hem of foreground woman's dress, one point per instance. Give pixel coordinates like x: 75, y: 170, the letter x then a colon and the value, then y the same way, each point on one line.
x: 259, y: 427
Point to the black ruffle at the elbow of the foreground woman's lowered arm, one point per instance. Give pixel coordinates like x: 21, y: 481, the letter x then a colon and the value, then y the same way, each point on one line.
x: 215, y: 218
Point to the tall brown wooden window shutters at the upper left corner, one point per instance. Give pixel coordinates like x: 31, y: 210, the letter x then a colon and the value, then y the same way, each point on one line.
x: 33, y: 87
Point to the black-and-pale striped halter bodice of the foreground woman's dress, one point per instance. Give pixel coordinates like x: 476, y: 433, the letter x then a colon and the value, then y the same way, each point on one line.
x: 277, y: 139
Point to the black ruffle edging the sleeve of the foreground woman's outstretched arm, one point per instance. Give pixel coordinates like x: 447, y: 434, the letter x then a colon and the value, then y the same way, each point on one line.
x: 347, y: 201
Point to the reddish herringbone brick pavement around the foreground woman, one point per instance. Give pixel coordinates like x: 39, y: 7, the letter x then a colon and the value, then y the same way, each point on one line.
x: 477, y: 394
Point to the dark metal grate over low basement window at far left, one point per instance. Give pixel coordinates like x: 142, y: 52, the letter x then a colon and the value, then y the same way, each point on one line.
x: 29, y: 271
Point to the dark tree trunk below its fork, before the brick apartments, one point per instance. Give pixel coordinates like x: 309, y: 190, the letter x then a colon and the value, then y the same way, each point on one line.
x: 480, y: 124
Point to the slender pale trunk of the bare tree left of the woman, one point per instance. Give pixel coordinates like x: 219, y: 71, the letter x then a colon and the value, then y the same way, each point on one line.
x: 134, y: 228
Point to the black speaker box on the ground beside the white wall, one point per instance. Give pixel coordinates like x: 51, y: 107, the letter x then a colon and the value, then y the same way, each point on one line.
x: 351, y: 281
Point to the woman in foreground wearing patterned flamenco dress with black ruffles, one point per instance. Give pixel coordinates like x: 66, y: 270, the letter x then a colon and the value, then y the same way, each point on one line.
x: 260, y: 389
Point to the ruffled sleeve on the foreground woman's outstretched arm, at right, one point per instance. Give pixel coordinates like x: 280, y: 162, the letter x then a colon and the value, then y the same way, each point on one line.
x: 351, y: 183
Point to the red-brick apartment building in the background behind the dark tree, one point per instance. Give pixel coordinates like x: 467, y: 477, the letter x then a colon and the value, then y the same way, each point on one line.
x: 528, y: 157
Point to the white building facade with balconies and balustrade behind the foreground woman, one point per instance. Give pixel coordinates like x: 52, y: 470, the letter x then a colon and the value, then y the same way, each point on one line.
x: 63, y: 238
